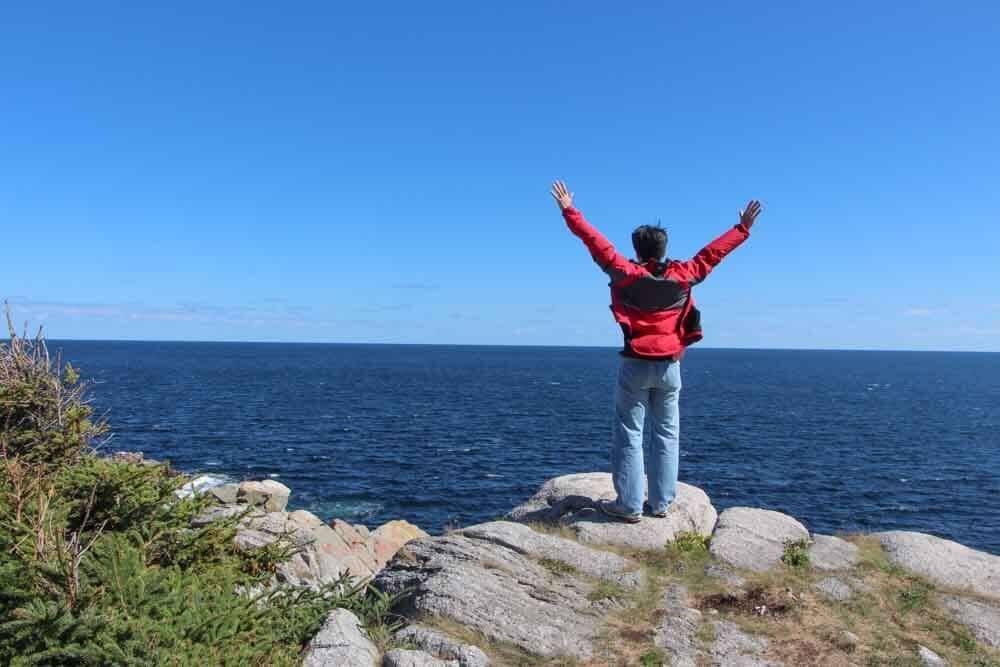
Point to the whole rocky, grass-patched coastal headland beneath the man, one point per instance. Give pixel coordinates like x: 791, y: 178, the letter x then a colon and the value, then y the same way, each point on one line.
x: 556, y: 582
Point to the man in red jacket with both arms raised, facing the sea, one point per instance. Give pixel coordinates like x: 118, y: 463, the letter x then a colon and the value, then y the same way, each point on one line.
x: 652, y: 302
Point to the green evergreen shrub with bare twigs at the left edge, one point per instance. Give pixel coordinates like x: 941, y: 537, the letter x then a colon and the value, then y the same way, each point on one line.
x: 99, y: 564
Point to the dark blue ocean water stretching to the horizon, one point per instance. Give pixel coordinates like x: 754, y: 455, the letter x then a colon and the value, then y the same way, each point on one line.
x: 442, y: 435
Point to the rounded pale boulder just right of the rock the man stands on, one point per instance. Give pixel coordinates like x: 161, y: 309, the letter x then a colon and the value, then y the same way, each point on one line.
x: 754, y: 539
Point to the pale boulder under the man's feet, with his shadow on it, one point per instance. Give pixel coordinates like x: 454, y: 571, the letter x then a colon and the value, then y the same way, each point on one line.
x: 572, y: 501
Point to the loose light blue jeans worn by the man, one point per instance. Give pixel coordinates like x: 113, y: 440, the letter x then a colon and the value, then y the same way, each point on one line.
x: 646, y: 388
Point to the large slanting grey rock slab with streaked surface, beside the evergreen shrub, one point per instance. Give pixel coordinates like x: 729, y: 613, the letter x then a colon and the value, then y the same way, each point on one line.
x: 504, y: 580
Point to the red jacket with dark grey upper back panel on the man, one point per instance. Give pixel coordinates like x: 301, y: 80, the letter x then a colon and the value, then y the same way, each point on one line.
x: 652, y: 302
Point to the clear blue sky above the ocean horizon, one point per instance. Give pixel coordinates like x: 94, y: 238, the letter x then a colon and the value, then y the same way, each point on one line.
x: 378, y: 172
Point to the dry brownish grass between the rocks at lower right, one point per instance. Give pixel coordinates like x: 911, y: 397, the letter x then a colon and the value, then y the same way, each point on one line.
x: 896, y: 614
